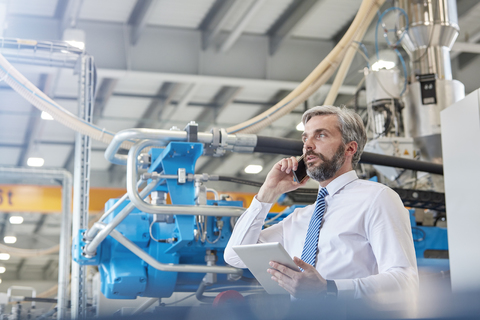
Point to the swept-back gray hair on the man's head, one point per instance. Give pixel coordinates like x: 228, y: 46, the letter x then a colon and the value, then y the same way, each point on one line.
x: 350, y: 125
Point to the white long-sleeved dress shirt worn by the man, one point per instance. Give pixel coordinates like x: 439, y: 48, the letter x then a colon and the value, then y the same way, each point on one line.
x: 365, y: 243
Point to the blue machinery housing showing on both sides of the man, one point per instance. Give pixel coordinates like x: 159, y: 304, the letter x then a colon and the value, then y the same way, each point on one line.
x: 188, y: 239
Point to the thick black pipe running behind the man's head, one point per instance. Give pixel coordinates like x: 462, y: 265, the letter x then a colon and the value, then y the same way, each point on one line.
x: 292, y: 147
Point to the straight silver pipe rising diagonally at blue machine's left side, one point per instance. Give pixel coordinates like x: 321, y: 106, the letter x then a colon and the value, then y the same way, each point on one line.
x: 91, y: 248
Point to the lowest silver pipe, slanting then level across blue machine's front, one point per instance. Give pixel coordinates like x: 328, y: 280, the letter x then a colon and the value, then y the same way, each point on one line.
x: 167, y: 266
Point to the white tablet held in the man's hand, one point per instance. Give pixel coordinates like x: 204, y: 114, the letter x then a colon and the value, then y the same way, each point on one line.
x: 257, y: 258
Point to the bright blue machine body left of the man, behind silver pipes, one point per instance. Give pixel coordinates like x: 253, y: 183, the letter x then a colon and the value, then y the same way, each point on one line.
x: 169, y: 238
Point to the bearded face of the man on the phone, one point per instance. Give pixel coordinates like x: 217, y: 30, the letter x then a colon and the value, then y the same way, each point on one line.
x: 323, y: 147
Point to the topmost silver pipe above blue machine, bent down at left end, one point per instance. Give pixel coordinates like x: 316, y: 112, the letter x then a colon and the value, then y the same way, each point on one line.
x: 154, y: 134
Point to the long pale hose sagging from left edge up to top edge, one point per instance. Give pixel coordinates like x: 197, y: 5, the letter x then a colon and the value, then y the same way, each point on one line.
x: 308, y: 86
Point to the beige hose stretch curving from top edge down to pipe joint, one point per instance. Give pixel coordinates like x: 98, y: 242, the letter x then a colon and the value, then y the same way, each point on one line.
x: 365, y: 15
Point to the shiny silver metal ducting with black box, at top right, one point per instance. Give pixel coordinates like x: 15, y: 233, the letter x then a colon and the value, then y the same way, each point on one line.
x: 432, y: 30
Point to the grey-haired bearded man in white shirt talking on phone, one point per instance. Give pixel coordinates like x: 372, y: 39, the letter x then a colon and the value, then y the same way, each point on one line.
x: 365, y: 246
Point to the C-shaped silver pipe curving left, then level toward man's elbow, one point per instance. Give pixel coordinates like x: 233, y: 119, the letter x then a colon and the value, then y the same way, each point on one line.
x: 138, y: 201
